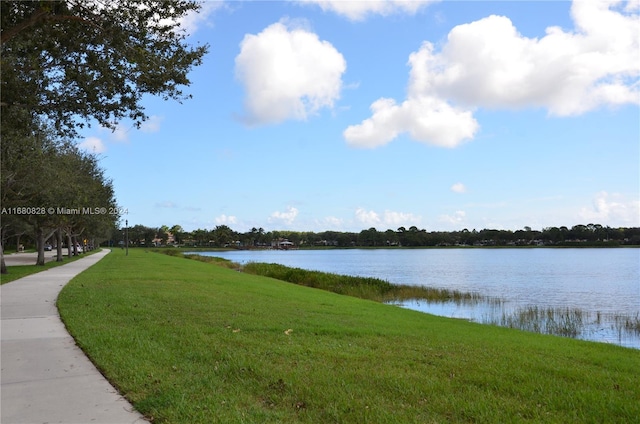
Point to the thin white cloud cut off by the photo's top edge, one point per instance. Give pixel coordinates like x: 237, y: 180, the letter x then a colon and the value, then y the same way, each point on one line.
x: 359, y: 10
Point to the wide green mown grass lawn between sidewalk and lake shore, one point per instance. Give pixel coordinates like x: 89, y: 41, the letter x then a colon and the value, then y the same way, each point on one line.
x: 192, y: 342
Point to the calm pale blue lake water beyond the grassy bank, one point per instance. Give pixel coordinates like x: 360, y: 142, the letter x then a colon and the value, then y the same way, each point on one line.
x: 593, y: 280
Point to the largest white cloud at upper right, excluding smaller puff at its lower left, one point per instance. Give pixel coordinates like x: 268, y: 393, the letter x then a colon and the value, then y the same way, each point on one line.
x: 487, y: 63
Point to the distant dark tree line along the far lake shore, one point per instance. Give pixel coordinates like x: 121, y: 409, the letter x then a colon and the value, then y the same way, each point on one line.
x: 224, y: 236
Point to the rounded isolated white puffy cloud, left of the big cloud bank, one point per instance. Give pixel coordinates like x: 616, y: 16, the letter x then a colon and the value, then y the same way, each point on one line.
x: 288, y: 73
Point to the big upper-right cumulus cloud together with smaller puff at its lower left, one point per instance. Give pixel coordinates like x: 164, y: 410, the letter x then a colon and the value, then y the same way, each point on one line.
x: 489, y: 64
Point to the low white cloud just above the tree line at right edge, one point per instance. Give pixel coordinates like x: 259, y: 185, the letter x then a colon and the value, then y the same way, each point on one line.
x: 612, y: 209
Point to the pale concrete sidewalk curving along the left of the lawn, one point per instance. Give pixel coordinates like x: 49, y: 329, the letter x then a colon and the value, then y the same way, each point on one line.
x: 45, y: 377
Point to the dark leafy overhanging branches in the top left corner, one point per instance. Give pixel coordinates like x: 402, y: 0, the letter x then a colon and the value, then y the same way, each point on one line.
x: 76, y: 60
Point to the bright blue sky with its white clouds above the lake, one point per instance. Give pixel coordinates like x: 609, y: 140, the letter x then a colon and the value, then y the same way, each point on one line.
x: 323, y: 115
